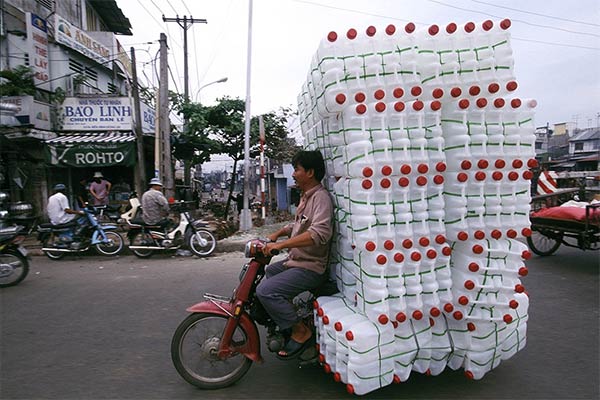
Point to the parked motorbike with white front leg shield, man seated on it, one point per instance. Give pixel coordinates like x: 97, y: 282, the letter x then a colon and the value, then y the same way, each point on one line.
x: 146, y: 239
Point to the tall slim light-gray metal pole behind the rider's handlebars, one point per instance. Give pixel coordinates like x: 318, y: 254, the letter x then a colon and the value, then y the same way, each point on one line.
x: 246, y: 216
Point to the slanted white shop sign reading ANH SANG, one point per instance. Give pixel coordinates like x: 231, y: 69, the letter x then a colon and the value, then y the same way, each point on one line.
x: 73, y: 37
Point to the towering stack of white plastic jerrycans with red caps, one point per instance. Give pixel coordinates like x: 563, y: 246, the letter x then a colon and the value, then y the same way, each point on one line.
x: 428, y: 149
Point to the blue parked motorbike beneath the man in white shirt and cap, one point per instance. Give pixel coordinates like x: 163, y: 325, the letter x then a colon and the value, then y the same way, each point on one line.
x: 79, y: 235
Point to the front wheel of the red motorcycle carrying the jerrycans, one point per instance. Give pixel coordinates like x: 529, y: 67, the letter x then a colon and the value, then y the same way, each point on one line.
x: 194, y: 351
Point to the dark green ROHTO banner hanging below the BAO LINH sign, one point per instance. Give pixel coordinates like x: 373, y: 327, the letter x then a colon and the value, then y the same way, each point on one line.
x: 90, y: 154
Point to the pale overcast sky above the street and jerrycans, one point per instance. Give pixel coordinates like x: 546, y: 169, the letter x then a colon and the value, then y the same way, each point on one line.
x: 556, y: 45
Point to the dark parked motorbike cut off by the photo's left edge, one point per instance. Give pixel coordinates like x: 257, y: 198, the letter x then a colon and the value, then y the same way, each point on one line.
x: 14, y: 258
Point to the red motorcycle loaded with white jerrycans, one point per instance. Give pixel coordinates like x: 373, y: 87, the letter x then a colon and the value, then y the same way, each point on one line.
x: 216, y: 345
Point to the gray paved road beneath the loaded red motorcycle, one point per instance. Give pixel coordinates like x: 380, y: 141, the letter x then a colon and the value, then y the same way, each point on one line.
x: 100, y: 328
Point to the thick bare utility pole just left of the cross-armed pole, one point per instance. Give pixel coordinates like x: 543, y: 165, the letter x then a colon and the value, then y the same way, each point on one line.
x: 165, y: 123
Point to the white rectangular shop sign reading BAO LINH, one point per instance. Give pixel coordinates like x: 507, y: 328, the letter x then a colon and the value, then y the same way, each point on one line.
x: 96, y: 114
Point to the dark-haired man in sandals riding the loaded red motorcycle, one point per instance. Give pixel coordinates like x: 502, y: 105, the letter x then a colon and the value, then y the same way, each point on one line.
x: 304, y: 268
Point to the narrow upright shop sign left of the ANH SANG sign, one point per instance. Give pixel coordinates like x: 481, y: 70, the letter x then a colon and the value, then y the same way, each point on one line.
x: 37, y: 42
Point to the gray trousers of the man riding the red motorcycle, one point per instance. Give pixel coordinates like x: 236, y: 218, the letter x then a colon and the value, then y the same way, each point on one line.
x: 280, y: 285
